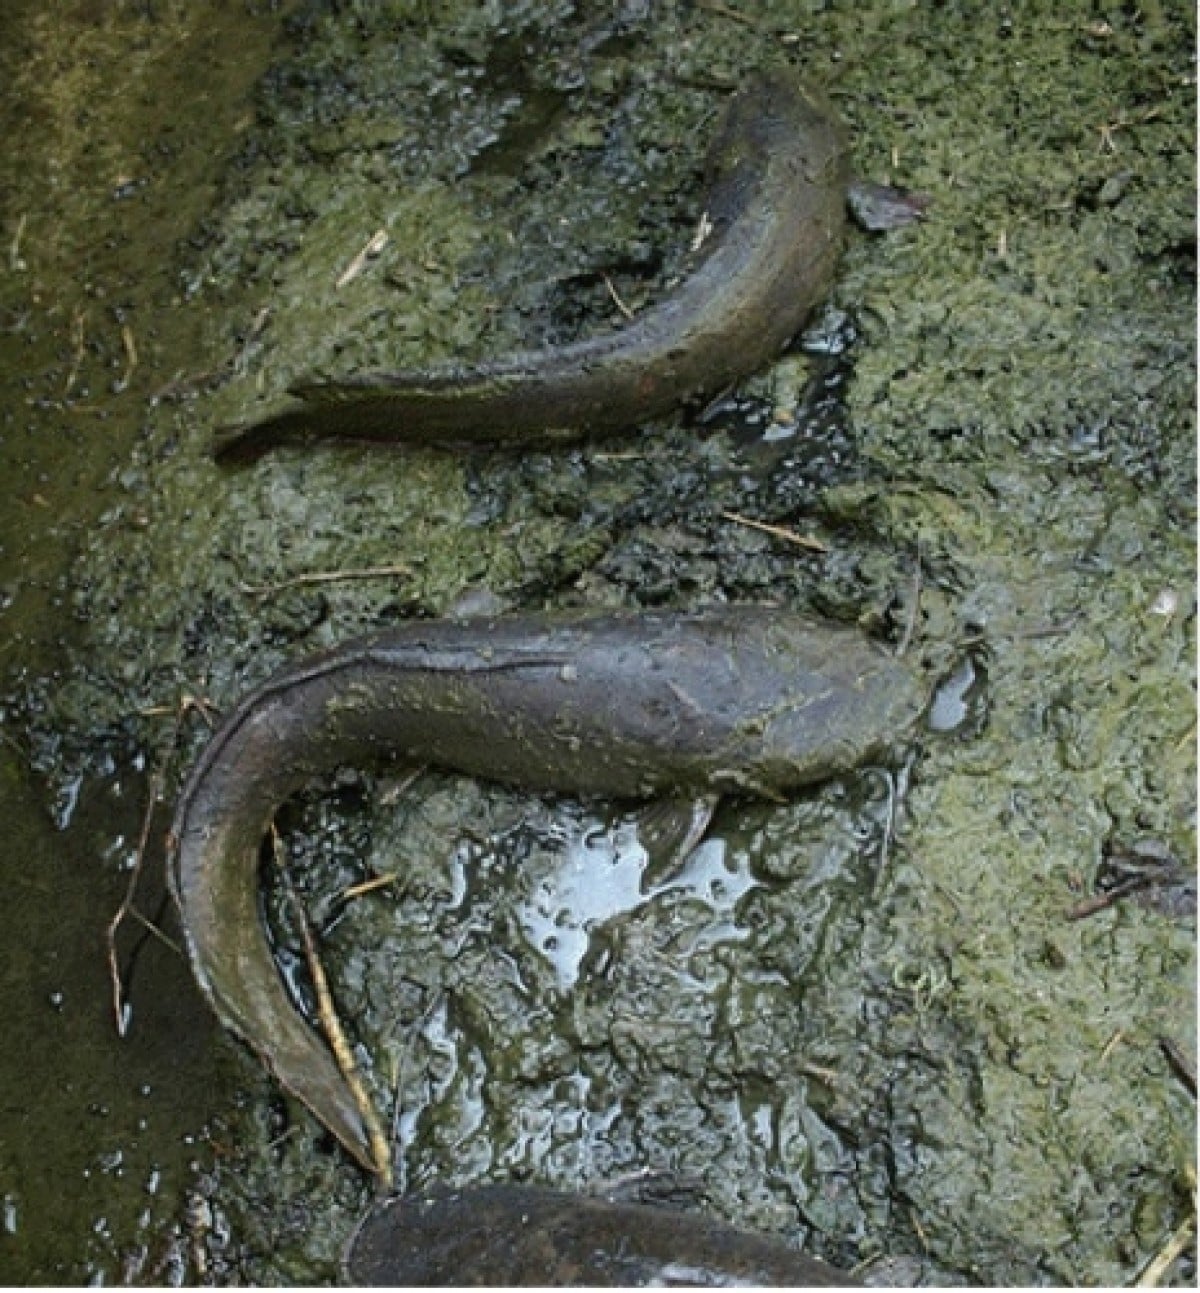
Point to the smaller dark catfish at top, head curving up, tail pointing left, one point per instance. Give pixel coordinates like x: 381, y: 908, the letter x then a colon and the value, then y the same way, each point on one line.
x: 775, y: 215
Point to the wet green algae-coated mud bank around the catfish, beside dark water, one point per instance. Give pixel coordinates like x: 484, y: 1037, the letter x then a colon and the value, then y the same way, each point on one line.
x: 927, y: 1062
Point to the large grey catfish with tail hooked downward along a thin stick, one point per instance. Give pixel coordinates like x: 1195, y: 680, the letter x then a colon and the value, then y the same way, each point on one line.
x: 747, y: 700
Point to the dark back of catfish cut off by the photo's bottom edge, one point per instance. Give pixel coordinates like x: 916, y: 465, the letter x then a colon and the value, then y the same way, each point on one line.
x: 522, y: 1235
